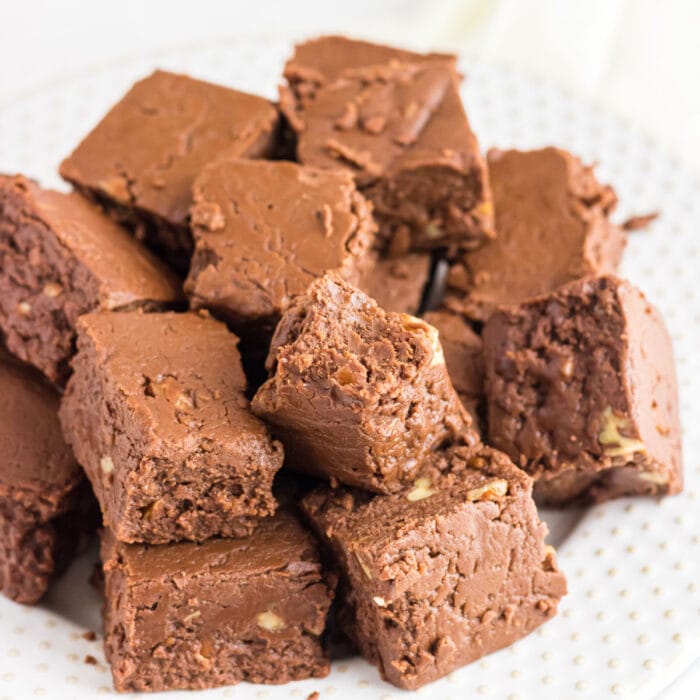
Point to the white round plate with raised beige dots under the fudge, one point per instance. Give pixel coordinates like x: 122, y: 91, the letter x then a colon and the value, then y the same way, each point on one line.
x: 631, y: 622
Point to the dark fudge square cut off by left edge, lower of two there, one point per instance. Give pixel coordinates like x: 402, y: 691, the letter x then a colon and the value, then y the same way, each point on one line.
x: 40, y: 484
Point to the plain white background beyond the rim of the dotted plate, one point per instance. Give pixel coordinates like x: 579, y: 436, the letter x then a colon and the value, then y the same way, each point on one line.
x: 639, y: 59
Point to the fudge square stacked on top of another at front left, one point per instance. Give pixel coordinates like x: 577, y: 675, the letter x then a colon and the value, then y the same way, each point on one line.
x: 156, y: 414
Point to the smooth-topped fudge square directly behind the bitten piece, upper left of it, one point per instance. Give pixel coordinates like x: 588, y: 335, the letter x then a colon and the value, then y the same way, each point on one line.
x: 264, y: 231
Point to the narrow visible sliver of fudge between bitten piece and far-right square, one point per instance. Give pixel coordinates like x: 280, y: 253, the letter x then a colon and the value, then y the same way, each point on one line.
x: 463, y: 356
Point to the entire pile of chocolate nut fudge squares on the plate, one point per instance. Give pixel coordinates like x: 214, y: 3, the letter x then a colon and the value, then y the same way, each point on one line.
x: 218, y: 318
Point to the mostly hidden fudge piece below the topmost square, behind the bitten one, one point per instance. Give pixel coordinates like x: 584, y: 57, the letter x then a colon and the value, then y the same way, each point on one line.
x: 398, y: 284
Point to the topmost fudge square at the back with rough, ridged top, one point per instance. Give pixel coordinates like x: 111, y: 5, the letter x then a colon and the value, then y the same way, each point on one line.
x: 395, y: 120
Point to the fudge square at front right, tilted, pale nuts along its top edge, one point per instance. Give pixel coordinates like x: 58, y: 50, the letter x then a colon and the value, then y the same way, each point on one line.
x: 450, y: 569
